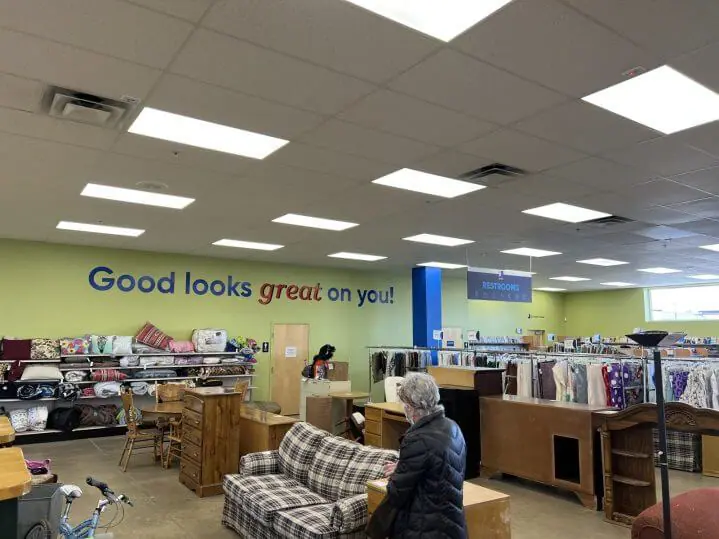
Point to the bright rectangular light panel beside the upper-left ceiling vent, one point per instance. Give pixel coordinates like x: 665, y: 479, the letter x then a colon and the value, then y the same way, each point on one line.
x: 201, y: 134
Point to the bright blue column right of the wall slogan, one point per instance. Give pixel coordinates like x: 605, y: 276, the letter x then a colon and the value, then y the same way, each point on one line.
x: 426, y: 305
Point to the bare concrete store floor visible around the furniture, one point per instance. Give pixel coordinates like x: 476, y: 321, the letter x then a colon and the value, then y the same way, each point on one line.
x: 166, y: 509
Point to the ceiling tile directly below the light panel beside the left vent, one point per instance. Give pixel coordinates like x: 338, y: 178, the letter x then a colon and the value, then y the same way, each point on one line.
x: 151, y: 148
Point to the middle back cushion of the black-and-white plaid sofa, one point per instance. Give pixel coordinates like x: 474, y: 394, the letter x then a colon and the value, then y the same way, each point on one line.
x: 329, y: 466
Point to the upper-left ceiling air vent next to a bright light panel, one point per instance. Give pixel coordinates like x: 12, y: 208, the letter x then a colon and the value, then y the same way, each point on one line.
x: 85, y: 108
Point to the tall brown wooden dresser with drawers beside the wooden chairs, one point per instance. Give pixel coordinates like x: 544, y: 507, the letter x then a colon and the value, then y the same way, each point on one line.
x: 210, y: 438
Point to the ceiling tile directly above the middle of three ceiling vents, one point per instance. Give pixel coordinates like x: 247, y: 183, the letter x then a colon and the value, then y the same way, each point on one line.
x: 521, y: 150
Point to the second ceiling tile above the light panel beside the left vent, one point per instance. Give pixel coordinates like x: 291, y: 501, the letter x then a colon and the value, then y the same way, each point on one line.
x: 245, y: 67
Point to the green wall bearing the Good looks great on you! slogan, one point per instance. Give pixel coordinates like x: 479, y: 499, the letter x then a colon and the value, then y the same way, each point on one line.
x: 44, y: 291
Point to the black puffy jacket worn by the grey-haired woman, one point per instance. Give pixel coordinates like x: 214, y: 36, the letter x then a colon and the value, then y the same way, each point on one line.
x: 426, y: 487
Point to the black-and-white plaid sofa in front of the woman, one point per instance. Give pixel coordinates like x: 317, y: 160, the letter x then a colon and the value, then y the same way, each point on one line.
x: 314, y: 487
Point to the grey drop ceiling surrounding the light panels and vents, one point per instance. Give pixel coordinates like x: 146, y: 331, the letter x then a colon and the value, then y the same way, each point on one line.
x: 358, y: 97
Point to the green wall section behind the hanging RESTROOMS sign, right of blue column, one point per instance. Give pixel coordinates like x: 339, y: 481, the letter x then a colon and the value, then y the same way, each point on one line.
x: 495, y: 318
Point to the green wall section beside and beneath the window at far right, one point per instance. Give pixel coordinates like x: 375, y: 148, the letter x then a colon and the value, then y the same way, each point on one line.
x: 617, y: 312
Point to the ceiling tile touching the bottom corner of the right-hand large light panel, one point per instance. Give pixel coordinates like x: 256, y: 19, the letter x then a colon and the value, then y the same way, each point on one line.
x: 665, y: 155
